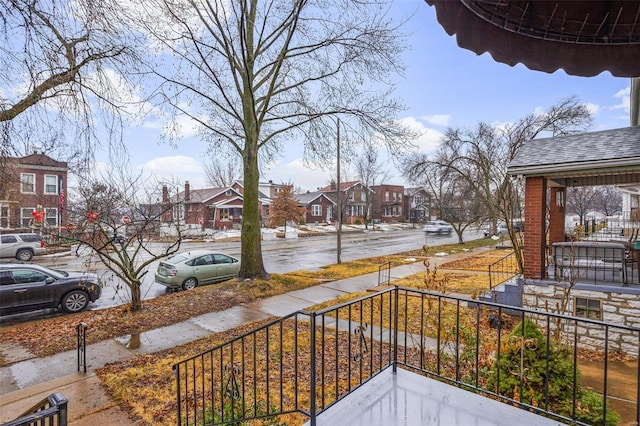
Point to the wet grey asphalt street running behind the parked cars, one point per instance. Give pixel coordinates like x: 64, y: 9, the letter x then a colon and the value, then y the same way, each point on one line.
x: 279, y: 256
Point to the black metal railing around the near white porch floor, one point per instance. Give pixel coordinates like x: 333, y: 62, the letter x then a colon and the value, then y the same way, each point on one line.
x: 304, y: 363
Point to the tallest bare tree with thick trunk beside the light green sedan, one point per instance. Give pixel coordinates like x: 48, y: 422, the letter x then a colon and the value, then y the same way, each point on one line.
x: 256, y: 73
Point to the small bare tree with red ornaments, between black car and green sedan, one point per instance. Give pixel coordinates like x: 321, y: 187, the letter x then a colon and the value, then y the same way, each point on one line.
x: 114, y: 220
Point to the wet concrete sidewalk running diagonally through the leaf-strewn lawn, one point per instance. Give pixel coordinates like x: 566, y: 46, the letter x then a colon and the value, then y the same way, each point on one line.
x: 30, y: 379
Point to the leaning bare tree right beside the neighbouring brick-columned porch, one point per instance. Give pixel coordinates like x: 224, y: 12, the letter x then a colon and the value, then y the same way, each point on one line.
x: 481, y: 156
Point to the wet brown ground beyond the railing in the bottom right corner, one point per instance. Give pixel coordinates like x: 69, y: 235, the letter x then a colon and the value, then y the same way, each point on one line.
x: 622, y: 384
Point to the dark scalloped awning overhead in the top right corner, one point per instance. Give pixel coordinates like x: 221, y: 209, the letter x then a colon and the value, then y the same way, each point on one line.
x: 582, y: 37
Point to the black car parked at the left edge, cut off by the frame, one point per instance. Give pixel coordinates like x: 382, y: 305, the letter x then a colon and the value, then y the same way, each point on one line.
x: 25, y: 288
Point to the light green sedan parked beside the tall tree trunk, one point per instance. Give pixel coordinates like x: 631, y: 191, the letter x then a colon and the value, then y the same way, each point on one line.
x: 190, y: 269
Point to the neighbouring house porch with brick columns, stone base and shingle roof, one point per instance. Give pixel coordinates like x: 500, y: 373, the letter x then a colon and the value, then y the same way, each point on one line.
x: 599, y: 290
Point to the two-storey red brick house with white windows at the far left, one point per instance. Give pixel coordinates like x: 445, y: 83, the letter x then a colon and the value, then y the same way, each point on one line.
x: 29, y: 184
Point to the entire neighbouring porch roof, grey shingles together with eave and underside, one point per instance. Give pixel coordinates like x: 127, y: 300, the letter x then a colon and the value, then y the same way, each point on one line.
x: 609, y: 157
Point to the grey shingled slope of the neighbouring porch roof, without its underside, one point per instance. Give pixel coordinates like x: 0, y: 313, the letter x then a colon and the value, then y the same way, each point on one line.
x: 602, y: 149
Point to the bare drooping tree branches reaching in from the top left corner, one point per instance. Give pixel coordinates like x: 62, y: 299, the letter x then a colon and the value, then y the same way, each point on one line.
x: 56, y: 58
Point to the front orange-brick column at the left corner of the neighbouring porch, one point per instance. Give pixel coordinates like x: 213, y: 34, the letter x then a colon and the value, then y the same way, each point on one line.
x: 534, y: 235
